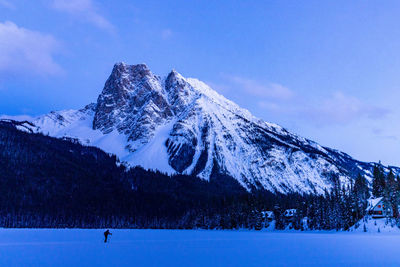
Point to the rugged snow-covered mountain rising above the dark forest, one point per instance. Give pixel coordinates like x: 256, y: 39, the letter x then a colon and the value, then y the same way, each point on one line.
x: 181, y: 125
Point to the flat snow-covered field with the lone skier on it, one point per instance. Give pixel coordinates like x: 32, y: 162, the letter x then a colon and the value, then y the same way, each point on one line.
x: 24, y: 247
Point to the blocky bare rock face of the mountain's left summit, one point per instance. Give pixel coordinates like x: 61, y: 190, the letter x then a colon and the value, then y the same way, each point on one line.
x: 132, y: 103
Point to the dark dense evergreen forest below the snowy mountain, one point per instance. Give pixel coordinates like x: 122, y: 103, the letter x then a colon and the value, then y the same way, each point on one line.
x: 50, y: 182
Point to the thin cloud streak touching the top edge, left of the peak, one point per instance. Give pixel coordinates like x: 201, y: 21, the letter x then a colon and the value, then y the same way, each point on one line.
x: 84, y: 9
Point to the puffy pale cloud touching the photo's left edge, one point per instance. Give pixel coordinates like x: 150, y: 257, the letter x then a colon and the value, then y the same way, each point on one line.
x: 27, y: 50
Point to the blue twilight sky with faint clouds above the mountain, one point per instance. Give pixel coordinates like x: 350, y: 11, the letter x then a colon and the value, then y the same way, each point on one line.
x: 326, y: 70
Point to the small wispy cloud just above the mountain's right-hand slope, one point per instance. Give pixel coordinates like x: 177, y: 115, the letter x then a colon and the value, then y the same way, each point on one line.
x: 268, y: 90
